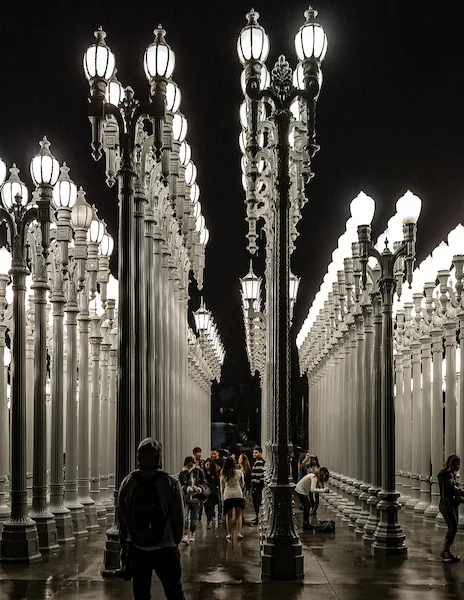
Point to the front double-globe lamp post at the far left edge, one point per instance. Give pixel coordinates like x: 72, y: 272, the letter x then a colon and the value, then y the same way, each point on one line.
x: 19, y: 536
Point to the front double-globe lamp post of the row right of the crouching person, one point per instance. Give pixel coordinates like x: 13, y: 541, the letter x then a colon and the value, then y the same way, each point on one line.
x: 389, y: 537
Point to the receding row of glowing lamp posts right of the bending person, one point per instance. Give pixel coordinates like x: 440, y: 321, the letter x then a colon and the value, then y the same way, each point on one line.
x: 346, y: 349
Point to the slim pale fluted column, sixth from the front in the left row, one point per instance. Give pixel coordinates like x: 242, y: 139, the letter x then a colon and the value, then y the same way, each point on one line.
x: 95, y: 441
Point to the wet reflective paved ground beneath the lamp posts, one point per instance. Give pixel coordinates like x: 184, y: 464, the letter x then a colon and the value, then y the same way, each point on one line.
x: 337, y: 566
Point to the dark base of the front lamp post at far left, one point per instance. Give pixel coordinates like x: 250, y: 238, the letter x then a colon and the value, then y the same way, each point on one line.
x: 20, y: 542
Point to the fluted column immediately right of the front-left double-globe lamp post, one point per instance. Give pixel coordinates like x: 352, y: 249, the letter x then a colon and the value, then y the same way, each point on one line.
x: 44, y: 519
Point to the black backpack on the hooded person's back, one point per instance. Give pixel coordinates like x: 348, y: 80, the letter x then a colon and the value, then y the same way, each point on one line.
x: 147, y: 519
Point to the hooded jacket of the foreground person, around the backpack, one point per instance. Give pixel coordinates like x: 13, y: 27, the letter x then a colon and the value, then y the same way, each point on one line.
x: 149, y: 455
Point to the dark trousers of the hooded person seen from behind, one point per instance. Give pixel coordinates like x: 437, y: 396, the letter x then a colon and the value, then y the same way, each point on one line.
x: 165, y: 563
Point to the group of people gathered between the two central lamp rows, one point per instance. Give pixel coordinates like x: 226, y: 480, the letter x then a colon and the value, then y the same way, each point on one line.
x: 220, y: 488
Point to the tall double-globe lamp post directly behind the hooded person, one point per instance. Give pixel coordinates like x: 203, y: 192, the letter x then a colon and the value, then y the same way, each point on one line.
x: 127, y: 115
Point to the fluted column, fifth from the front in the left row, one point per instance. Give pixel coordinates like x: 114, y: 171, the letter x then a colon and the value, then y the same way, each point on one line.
x: 83, y: 483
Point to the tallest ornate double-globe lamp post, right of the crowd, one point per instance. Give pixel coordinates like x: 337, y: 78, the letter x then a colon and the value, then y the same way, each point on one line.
x: 282, y: 556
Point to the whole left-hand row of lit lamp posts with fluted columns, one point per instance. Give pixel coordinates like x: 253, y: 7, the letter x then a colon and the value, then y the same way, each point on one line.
x: 57, y: 261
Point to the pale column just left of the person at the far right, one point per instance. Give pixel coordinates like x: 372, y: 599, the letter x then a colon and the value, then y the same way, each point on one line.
x: 437, y: 421
